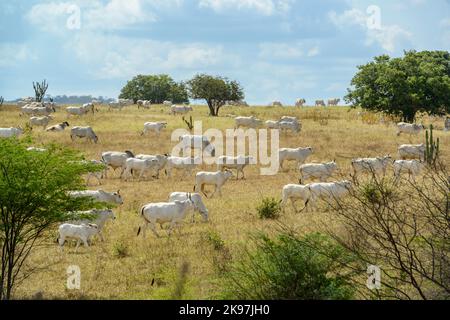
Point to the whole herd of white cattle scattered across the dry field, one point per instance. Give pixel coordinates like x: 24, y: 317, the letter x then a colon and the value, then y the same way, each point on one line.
x: 180, y: 203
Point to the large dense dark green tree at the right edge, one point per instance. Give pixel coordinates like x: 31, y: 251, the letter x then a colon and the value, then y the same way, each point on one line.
x: 417, y: 82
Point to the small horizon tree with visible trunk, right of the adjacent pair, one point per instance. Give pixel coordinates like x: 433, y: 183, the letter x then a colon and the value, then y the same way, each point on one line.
x: 215, y: 90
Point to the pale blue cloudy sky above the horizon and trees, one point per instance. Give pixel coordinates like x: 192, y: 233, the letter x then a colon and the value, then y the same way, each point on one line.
x: 277, y: 49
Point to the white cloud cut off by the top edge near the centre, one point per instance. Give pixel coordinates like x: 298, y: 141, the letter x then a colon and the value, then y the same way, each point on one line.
x: 264, y: 7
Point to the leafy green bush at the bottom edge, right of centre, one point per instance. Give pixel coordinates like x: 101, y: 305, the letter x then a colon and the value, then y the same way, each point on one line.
x: 289, y: 267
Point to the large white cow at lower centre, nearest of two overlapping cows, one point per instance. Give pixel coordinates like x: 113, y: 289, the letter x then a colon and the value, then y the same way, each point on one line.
x: 162, y: 212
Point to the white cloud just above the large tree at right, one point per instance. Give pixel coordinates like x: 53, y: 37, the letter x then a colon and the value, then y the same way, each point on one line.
x: 387, y: 36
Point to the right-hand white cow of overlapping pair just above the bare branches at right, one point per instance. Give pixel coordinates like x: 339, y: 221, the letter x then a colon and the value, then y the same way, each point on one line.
x: 329, y: 191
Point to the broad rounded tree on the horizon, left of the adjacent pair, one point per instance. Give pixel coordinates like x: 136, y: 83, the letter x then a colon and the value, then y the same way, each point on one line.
x: 156, y: 88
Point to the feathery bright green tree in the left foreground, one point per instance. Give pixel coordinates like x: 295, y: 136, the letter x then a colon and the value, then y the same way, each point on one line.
x: 33, y: 198
